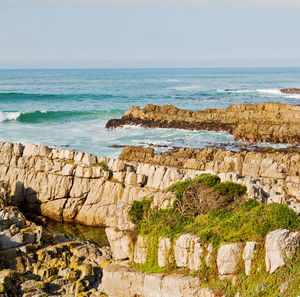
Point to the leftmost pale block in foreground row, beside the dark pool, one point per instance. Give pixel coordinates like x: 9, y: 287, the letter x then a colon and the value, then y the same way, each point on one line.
x: 120, y: 243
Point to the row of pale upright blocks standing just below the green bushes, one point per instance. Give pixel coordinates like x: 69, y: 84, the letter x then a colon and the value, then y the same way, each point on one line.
x: 187, y: 251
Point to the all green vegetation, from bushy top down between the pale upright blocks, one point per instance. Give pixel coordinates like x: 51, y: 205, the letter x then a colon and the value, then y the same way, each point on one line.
x: 241, y: 220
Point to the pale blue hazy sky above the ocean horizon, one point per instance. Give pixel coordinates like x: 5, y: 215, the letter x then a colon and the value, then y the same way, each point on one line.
x: 149, y: 33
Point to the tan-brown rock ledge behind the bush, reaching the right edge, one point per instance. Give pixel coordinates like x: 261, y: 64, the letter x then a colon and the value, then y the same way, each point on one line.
x: 270, y: 176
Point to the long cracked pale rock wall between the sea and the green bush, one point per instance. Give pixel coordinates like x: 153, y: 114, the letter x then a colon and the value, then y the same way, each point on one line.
x: 97, y: 191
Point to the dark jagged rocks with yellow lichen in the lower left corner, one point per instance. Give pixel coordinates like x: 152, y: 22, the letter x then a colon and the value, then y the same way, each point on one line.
x: 43, y: 264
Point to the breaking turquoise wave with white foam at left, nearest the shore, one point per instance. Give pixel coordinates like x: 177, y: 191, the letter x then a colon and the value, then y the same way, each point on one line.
x: 45, y: 116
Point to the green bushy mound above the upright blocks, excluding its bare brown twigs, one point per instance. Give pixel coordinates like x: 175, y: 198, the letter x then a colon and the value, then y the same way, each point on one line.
x: 244, y: 221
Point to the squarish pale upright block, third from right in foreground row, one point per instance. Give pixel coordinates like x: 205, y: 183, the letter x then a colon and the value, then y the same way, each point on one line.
x: 229, y: 256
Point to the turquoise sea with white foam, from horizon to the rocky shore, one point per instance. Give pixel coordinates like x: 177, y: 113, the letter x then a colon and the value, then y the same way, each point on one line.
x: 69, y: 108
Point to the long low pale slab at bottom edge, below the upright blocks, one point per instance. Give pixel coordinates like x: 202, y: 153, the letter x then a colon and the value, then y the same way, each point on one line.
x: 122, y: 281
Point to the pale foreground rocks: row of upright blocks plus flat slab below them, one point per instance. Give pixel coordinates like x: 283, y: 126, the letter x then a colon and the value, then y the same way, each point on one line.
x: 187, y: 252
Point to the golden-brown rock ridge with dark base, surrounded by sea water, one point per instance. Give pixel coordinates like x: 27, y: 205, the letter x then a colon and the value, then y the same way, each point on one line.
x: 264, y: 122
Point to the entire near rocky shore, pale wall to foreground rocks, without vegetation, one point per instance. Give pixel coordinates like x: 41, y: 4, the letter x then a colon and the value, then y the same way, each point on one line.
x: 83, y: 188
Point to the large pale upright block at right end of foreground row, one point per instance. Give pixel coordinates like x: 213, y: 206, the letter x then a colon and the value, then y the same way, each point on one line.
x: 278, y: 244
